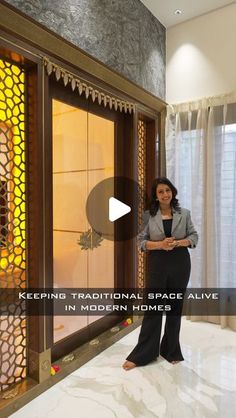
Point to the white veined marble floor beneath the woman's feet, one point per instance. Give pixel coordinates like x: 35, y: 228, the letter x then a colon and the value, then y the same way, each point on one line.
x: 202, y: 386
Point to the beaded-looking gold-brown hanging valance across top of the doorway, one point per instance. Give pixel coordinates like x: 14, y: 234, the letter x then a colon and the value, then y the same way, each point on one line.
x: 88, y: 89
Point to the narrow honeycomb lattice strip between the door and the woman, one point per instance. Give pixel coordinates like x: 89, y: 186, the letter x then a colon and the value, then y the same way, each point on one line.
x: 142, y: 137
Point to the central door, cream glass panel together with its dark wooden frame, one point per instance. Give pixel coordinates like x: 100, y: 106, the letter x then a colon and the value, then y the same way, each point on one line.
x: 87, y: 143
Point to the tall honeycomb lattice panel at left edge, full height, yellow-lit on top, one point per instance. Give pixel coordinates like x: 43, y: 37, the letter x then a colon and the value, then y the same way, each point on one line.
x: 12, y: 221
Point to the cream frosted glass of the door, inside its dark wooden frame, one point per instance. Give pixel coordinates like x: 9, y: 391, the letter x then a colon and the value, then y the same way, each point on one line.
x: 83, y: 155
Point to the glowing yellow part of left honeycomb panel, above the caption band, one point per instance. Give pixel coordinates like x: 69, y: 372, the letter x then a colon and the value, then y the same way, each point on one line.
x: 12, y: 162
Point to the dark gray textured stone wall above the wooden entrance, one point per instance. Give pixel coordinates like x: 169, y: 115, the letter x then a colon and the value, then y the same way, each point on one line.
x: 122, y: 34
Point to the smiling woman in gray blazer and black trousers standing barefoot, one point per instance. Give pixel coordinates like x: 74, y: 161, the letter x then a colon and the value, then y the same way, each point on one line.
x: 166, y: 237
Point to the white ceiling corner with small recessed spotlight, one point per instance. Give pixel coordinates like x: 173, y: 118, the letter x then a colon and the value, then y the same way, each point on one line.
x: 163, y: 10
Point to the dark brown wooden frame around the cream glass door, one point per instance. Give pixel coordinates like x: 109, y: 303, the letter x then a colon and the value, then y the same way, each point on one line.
x: 123, y: 146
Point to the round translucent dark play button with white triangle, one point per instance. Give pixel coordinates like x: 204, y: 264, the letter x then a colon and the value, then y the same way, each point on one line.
x: 112, y: 208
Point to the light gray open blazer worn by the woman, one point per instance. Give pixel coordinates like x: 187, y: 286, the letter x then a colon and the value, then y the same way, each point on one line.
x: 182, y: 227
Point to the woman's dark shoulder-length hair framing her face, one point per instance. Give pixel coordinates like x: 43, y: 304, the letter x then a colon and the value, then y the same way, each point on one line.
x: 154, y: 204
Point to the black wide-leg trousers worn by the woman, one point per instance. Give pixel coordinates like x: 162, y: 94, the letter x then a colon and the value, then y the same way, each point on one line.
x: 168, y: 273
